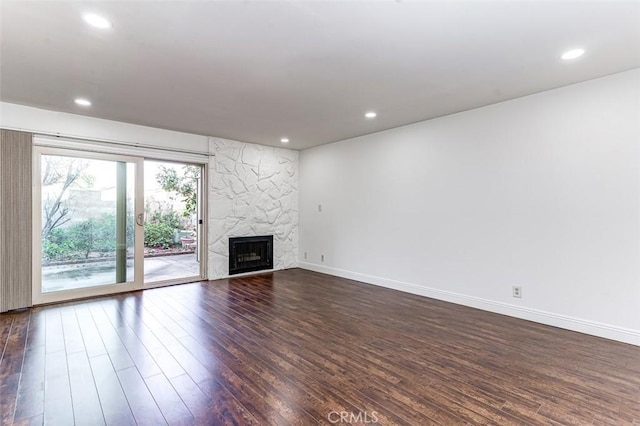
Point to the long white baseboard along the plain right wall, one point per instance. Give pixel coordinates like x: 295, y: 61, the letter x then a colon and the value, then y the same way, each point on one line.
x: 562, y: 321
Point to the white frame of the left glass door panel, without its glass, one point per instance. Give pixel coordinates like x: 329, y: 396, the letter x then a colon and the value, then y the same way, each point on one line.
x: 64, y: 295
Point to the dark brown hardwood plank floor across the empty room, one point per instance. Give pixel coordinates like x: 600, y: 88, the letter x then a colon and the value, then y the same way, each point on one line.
x: 297, y: 347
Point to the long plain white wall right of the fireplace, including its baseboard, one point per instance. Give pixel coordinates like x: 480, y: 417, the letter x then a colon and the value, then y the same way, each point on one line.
x: 540, y: 192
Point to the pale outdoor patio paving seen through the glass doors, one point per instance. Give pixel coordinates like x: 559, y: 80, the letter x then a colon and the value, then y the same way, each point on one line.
x: 81, y: 275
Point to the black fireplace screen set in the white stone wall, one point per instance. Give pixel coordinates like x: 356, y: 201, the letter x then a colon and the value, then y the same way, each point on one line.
x: 248, y: 254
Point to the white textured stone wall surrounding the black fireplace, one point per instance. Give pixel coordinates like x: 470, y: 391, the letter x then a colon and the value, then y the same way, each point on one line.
x: 253, y: 190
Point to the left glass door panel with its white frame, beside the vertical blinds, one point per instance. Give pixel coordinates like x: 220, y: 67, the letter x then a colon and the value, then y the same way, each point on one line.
x: 88, y: 222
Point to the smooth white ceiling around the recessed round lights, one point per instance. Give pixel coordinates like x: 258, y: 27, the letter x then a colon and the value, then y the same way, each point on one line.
x: 258, y: 71
